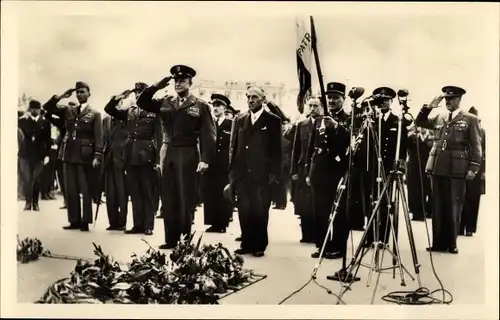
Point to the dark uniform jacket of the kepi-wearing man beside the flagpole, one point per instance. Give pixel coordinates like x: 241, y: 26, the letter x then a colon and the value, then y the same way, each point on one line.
x: 327, y: 151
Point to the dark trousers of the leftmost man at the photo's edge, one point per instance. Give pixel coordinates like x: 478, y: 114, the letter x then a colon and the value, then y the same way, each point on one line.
x: 31, y: 175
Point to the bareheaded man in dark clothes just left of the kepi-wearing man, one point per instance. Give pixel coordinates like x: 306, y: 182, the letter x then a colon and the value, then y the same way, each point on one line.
x: 303, y: 194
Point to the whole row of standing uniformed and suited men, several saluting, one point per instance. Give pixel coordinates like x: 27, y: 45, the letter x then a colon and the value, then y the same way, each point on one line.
x: 168, y: 149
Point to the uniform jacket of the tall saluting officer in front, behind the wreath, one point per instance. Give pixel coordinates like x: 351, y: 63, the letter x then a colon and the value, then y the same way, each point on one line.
x: 185, y: 124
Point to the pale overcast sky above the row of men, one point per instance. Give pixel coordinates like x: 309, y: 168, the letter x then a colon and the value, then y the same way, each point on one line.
x: 401, y: 48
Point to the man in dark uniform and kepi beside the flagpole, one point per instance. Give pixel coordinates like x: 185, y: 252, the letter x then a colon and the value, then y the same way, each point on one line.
x: 327, y: 163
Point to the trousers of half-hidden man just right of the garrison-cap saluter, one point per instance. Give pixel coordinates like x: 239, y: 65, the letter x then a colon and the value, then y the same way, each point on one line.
x: 116, y: 195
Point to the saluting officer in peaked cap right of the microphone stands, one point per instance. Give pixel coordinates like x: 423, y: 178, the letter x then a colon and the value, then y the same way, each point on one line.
x: 455, y: 157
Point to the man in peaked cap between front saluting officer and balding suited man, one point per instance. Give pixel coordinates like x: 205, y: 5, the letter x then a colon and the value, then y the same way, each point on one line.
x: 217, y: 209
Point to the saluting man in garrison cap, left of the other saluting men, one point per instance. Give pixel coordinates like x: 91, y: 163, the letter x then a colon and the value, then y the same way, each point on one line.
x: 81, y: 151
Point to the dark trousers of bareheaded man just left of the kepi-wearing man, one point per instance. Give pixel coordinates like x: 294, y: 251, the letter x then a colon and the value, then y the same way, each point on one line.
x: 304, y: 206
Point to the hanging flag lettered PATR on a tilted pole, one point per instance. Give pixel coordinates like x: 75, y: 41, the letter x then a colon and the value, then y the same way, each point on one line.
x: 304, y: 52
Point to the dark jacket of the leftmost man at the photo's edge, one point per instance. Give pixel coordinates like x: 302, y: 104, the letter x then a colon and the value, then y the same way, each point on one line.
x: 37, y: 140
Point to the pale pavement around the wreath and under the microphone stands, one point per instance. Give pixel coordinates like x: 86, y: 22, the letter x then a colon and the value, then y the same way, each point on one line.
x: 287, y: 262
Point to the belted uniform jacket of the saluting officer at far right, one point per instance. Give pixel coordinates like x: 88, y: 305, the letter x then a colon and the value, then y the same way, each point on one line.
x: 457, y: 144
